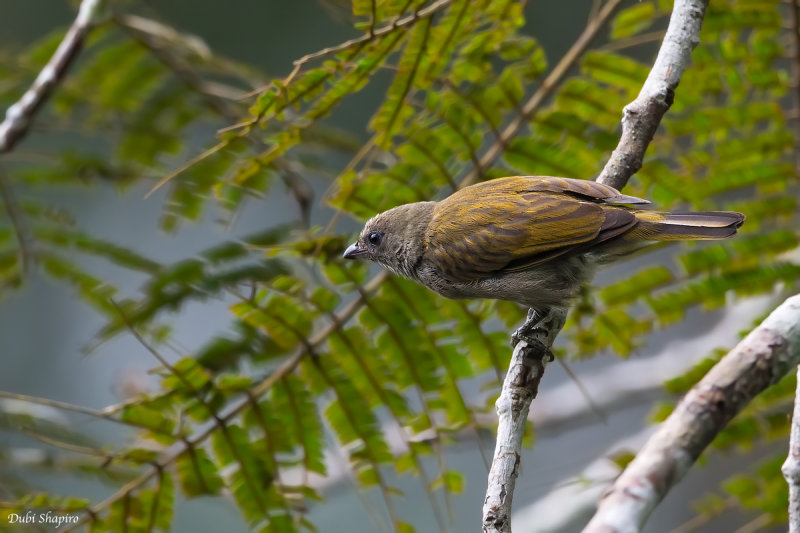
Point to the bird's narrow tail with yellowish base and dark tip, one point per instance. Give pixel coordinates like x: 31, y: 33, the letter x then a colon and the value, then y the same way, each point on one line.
x: 704, y: 225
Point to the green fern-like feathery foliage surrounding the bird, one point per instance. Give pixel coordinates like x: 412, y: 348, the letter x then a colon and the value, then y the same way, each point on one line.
x: 315, y: 350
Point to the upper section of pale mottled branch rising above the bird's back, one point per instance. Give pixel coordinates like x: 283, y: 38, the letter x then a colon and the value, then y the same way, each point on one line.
x: 641, y: 117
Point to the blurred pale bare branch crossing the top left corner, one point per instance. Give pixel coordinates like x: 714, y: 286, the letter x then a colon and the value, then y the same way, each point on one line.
x: 20, y: 115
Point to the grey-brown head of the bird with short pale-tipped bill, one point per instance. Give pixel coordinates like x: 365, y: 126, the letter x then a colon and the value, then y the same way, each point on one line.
x: 394, y: 238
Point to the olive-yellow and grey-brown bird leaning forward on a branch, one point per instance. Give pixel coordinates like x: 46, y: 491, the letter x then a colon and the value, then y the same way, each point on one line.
x: 533, y: 240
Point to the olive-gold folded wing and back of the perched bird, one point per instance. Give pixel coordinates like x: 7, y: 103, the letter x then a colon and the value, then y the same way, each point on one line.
x: 510, y: 224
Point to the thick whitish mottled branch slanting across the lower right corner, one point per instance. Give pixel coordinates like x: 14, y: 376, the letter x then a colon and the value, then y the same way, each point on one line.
x: 764, y: 357
